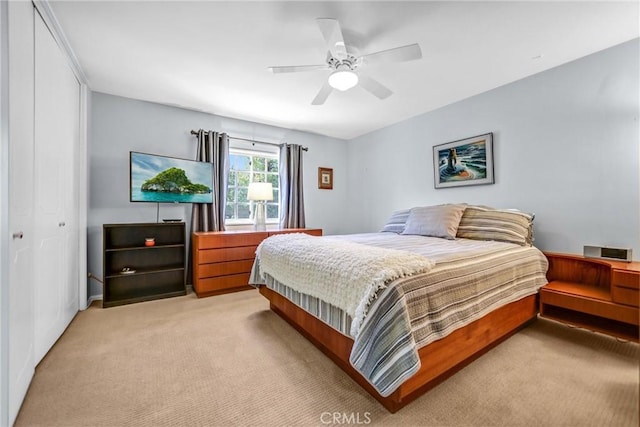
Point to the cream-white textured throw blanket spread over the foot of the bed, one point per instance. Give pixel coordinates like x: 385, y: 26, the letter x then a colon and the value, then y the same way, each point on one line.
x: 347, y: 275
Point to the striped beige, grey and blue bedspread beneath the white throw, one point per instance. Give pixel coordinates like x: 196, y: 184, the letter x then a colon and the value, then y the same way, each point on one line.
x: 470, y: 279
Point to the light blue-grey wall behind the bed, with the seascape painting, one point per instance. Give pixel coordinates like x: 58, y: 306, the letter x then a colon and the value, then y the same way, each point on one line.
x: 566, y: 147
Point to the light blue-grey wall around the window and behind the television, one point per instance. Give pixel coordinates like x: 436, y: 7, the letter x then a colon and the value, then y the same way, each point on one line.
x: 119, y: 125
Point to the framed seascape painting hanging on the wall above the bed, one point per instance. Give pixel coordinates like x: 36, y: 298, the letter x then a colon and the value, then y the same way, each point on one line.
x: 464, y: 162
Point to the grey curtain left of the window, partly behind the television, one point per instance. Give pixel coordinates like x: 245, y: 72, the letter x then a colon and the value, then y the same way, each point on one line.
x: 213, y: 147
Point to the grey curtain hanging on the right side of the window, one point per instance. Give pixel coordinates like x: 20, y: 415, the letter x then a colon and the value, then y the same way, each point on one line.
x: 291, y: 188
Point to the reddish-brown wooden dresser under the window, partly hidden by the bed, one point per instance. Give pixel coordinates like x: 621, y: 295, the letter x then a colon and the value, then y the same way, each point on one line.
x: 222, y: 260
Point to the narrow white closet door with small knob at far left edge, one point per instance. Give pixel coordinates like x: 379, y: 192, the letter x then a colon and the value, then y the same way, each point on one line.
x: 21, y: 159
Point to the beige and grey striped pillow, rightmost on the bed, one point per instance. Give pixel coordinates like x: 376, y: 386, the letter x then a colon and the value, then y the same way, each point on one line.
x: 502, y: 225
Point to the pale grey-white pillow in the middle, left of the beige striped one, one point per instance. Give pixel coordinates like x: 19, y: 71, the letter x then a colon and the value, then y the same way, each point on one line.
x: 435, y: 221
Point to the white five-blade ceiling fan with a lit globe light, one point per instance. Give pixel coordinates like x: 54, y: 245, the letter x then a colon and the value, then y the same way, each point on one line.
x: 346, y: 67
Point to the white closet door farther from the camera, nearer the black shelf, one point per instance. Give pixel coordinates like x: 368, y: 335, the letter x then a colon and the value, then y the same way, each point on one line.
x: 57, y: 124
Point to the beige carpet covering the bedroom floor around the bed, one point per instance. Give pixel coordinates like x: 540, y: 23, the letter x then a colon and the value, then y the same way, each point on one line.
x: 229, y: 361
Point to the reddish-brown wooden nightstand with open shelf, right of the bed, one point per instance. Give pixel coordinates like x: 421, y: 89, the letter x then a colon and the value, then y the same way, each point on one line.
x: 596, y: 294
